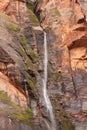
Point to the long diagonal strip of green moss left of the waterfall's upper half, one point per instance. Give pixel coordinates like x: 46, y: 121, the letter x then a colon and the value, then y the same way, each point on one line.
x: 28, y: 57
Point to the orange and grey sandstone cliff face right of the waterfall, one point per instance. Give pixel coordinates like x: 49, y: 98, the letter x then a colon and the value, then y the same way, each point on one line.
x: 65, y: 23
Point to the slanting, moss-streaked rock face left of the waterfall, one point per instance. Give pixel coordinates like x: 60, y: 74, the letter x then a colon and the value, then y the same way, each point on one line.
x: 18, y: 65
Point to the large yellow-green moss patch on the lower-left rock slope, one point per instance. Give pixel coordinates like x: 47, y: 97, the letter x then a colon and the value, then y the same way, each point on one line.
x: 17, y: 112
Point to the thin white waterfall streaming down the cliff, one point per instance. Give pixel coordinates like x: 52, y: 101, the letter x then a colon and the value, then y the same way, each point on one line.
x: 47, y: 101
